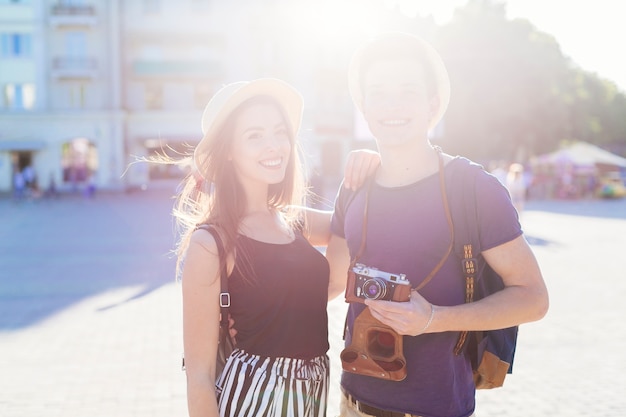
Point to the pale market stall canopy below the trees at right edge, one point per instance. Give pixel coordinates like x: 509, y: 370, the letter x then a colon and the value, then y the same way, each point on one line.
x: 583, y: 154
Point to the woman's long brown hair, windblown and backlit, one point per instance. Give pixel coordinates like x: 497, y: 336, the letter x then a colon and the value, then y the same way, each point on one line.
x: 213, y: 194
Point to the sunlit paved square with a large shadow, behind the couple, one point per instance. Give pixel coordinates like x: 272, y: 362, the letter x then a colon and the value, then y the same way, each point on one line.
x: 90, y: 312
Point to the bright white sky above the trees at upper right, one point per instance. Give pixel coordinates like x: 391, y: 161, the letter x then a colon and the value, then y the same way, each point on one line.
x: 590, y: 32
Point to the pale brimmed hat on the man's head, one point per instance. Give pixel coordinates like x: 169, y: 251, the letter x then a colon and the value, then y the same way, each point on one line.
x: 414, y: 43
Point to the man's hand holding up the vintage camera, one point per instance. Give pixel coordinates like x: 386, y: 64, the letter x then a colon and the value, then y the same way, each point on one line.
x: 406, y: 318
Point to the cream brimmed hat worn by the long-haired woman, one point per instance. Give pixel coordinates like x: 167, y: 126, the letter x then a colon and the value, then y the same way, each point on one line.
x: 231, y: 96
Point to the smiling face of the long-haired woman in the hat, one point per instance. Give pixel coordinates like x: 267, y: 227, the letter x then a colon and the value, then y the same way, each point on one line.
x: 261, y: 146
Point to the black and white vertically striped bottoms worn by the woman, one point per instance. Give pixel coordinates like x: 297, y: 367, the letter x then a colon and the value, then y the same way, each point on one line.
x: 252, y: 386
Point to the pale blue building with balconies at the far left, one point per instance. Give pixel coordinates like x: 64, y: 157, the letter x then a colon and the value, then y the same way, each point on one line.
x: 60, y: 108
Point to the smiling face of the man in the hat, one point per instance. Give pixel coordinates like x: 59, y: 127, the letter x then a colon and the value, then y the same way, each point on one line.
x: 396, y: 103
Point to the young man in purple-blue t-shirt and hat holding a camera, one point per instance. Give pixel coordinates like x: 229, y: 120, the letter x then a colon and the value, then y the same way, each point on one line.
x: 401, y: 86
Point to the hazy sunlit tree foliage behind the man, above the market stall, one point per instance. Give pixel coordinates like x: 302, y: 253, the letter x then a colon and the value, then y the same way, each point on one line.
x: 515, y: 94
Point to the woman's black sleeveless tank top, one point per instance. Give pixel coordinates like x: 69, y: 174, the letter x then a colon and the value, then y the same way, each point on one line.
x: 282, y: 313
